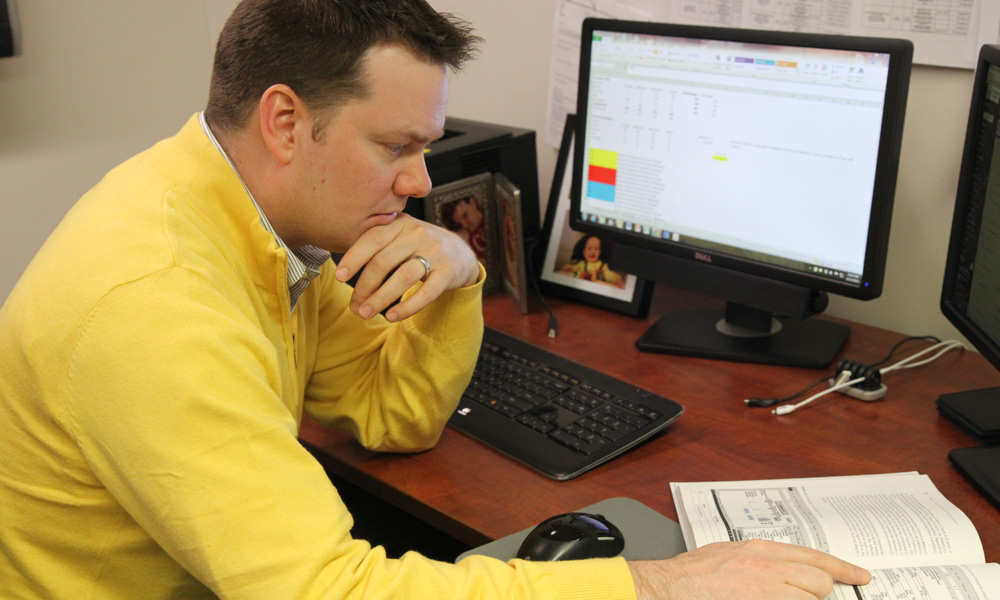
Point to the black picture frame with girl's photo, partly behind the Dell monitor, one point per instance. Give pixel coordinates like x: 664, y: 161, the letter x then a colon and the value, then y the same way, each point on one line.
x: 562, y: 274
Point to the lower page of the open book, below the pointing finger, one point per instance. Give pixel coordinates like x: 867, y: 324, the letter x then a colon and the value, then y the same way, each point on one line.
x: 972, y: 582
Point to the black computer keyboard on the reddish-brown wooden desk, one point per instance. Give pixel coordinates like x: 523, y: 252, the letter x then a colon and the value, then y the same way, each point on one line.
x: 554, y: 415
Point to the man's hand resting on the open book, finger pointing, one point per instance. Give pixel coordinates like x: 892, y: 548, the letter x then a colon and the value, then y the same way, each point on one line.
x: 753, y: 570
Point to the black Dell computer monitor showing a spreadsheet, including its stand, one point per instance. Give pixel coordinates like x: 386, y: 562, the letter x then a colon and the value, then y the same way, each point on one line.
x: 758, y: 167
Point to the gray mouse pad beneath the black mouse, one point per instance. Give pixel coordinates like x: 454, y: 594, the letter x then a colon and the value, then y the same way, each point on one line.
x: 648, y: 534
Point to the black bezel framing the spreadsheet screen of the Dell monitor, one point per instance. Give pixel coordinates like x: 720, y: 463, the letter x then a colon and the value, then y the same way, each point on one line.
x: 883, y: 194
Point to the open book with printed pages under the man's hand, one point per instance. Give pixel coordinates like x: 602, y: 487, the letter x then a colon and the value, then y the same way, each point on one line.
x: 914, y: 541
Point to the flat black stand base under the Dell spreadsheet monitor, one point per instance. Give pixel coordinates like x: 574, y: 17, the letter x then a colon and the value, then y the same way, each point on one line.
x: 744, y: 334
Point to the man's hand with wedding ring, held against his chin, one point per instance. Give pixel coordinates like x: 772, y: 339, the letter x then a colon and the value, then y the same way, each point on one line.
x: 387, y: 255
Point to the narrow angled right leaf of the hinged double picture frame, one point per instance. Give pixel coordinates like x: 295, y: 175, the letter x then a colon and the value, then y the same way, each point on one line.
x: 511, y: 233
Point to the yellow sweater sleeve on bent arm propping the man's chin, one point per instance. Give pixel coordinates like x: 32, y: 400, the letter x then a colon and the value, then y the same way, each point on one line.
x: 393, y: 386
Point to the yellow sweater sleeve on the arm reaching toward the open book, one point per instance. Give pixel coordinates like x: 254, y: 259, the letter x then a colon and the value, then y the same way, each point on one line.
x: 171, y: 398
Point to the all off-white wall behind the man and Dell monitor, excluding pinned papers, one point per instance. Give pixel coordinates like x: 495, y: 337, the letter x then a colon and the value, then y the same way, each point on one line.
x: 99, y: 81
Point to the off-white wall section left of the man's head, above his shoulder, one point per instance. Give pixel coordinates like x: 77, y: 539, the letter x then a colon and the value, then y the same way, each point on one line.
x: 95, y: 83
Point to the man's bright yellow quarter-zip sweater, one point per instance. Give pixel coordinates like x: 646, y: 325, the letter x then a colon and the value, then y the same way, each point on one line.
x: 152, y: 381
